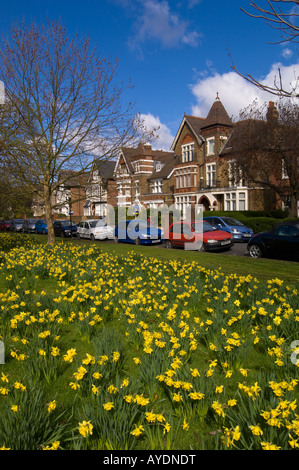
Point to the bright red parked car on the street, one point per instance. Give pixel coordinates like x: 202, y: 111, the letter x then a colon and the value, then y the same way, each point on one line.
x: 199, y: 235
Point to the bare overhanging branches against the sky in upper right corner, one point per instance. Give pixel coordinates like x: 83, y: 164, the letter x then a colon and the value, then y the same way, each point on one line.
x: 280, y: 15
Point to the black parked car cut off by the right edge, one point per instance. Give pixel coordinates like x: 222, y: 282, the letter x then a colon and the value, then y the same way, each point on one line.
x: 282, y: 241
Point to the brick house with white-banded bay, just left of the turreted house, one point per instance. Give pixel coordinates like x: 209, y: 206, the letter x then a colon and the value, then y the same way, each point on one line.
x: 144, y: 176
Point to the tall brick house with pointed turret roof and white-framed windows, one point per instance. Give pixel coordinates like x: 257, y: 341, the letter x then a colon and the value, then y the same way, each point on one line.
x: 203, y: 170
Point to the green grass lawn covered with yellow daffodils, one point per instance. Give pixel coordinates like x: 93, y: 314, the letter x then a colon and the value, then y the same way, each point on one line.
x: 120, y: 347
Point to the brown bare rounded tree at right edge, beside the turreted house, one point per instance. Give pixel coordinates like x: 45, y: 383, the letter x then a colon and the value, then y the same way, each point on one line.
x: 265, y: 148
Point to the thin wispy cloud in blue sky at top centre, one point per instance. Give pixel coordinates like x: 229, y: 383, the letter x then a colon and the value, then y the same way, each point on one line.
x: 157, y: 22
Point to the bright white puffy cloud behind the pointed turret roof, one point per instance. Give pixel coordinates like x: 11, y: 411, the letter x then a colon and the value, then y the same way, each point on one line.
x: 235, y: 92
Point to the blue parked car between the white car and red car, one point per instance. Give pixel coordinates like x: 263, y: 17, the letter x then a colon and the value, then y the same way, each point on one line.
x: 137, y: 231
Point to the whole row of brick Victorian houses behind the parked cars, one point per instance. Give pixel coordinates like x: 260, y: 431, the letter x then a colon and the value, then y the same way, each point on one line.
x: 198, y: 169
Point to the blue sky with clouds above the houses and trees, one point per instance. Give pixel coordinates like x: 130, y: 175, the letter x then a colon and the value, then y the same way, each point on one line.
x: 174, y: 51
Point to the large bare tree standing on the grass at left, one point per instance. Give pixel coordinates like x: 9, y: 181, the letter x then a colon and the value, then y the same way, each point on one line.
x: 64, y: 107
